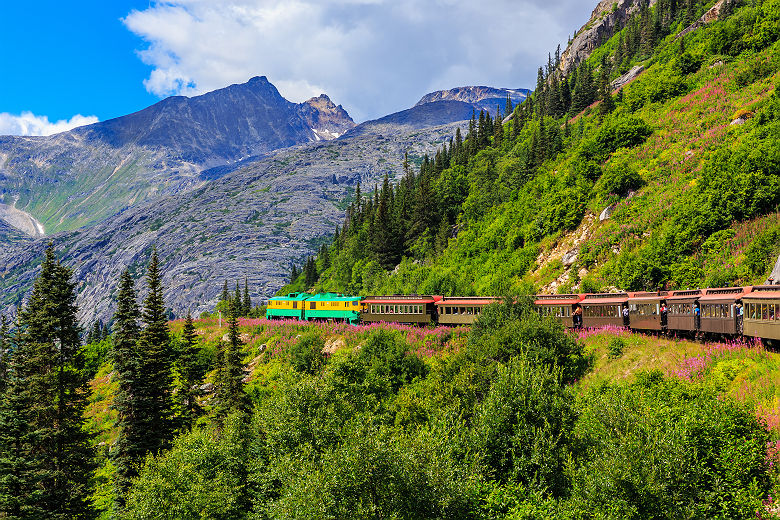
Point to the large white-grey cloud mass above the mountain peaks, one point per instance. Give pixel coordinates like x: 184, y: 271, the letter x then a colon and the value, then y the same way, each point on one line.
x: 373, y: 56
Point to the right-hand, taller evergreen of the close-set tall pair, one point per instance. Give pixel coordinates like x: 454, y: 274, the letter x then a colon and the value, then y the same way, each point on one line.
x: 155, y: 366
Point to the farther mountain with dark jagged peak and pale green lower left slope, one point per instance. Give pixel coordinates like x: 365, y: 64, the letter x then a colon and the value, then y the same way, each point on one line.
x: 82, y: 176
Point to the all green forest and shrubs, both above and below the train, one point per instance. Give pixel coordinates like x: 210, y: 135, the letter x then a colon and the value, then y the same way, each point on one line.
x: 242, y: 418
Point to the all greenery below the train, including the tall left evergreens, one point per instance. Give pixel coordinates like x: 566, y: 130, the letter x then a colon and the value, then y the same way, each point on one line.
x: 513, y: 418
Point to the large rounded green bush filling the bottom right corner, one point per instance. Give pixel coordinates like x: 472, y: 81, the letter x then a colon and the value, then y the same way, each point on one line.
x: 665, y: 449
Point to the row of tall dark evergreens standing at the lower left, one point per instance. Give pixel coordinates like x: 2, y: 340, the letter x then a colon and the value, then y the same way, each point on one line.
x: 47, y: 455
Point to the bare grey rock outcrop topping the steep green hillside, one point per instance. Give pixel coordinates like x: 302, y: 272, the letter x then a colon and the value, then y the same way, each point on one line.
x: 607, y: 18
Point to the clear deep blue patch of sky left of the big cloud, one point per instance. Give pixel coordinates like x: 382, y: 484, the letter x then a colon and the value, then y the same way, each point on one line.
x: 64, y: 58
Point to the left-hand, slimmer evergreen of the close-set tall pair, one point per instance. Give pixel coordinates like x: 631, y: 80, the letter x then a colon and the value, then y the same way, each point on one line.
x: 129, y: 450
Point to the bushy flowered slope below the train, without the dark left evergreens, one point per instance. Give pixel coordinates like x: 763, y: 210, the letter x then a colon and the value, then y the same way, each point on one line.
x: 404, y: 422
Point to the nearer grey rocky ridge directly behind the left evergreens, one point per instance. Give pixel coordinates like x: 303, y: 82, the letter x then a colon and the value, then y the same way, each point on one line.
x: 254, y: 222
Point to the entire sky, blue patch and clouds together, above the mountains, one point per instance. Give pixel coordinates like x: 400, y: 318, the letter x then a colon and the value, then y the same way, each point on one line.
x: 101, y: 59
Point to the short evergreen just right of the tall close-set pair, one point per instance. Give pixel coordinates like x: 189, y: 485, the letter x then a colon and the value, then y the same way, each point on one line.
x: 188, y: 376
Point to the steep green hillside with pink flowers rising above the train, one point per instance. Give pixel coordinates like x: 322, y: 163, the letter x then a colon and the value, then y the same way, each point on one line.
x: 694, y: 197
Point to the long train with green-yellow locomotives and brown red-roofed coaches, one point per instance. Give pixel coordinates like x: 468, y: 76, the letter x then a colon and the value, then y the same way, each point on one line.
x: 728, y: 311
